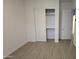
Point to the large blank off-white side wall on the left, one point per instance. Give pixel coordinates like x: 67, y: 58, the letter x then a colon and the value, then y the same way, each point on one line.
x: 14, y: 25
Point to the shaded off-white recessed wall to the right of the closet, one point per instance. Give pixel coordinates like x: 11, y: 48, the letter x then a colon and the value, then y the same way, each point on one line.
x: 66, y: 20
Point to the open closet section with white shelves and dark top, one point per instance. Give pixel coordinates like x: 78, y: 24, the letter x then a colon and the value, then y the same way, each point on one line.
x: 50, y: 24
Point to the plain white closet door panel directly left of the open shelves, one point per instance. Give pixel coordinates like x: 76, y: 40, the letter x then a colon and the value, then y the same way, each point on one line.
x: 40, y: 24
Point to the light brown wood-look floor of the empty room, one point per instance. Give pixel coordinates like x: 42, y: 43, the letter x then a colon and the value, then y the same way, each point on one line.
x: 45, y: 50
